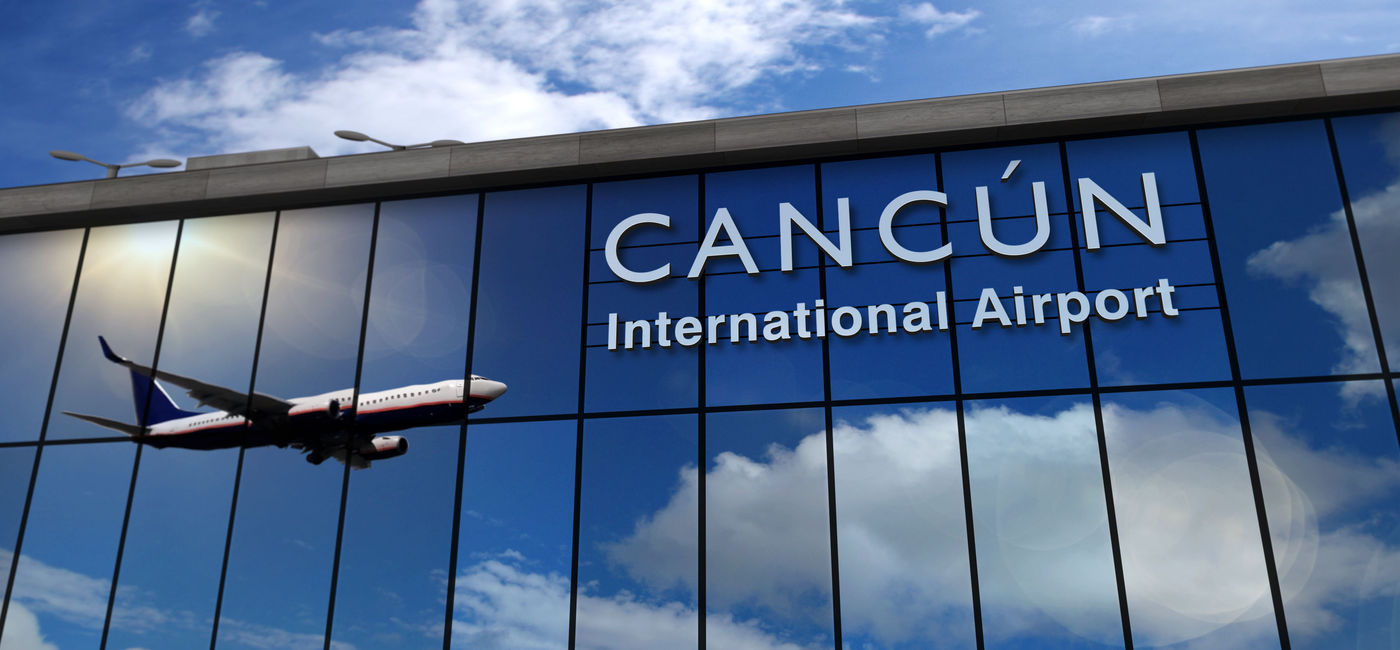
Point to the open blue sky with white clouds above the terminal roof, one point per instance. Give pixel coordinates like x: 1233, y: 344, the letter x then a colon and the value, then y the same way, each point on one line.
x: 124, y: 82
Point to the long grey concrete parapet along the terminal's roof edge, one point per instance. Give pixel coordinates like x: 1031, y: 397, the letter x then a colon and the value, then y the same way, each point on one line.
x: 296, y: 177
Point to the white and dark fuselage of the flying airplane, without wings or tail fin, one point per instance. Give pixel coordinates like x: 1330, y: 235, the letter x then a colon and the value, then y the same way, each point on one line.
x: 331, y: 415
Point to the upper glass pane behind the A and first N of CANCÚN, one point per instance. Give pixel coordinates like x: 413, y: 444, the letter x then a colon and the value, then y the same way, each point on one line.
x: 762, y: 372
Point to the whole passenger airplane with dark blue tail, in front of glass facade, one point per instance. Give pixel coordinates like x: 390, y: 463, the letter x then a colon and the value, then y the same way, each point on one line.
x: 323, y: 427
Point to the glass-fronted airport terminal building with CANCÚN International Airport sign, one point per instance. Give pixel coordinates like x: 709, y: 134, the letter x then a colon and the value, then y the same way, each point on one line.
x: 1091, y: 366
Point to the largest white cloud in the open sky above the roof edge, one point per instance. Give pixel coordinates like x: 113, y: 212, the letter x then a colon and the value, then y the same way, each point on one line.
x: 491, y: 69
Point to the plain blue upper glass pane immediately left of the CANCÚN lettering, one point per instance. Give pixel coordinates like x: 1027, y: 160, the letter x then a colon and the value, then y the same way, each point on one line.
x: 530, y: 299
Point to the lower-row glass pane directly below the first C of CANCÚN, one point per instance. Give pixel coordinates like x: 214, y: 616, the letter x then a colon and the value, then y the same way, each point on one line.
x: 639, y: 534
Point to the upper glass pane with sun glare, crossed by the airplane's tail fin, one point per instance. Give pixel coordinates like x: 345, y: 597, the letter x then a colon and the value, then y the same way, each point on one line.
x: 121, y: 296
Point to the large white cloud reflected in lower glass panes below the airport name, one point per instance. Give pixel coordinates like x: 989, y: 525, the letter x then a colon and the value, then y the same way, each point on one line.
x: 1186, y: 519
